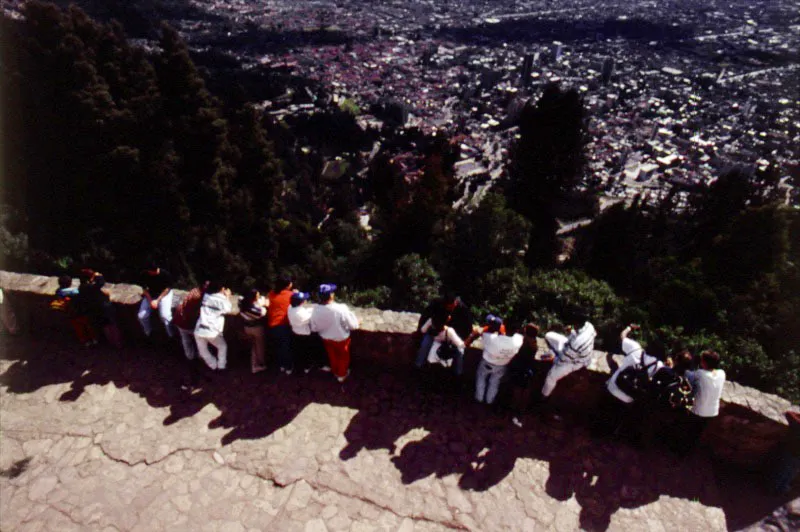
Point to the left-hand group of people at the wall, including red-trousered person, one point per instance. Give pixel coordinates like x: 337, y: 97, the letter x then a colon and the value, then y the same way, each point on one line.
x: 301, y: 336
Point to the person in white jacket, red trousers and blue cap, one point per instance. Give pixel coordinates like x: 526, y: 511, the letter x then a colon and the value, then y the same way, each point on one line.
x: 334, y: 321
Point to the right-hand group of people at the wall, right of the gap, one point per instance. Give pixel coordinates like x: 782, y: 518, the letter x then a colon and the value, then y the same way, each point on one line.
x: 670, y: 398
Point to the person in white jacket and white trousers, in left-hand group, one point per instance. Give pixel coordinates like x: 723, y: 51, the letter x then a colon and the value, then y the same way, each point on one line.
x: 211, y: 323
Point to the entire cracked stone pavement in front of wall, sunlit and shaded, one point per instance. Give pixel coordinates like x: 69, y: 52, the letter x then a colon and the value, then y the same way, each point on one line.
x: 143, y: 440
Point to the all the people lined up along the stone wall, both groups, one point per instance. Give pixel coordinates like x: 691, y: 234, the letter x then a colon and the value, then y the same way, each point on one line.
x: 301, y: 336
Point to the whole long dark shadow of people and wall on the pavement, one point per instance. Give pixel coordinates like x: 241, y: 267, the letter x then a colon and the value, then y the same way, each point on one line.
x: 472, y: 441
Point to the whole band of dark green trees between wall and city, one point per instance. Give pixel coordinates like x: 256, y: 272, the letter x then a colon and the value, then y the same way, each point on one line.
x: 114, y: 156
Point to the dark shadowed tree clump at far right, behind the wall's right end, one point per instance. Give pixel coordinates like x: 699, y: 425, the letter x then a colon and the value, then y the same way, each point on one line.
x: 722, y: 272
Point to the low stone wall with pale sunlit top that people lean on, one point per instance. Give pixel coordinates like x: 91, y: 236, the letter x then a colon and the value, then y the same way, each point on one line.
x: 750, y: 424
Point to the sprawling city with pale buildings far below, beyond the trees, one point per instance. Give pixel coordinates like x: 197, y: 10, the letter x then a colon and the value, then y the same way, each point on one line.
x: 675, y: 92
